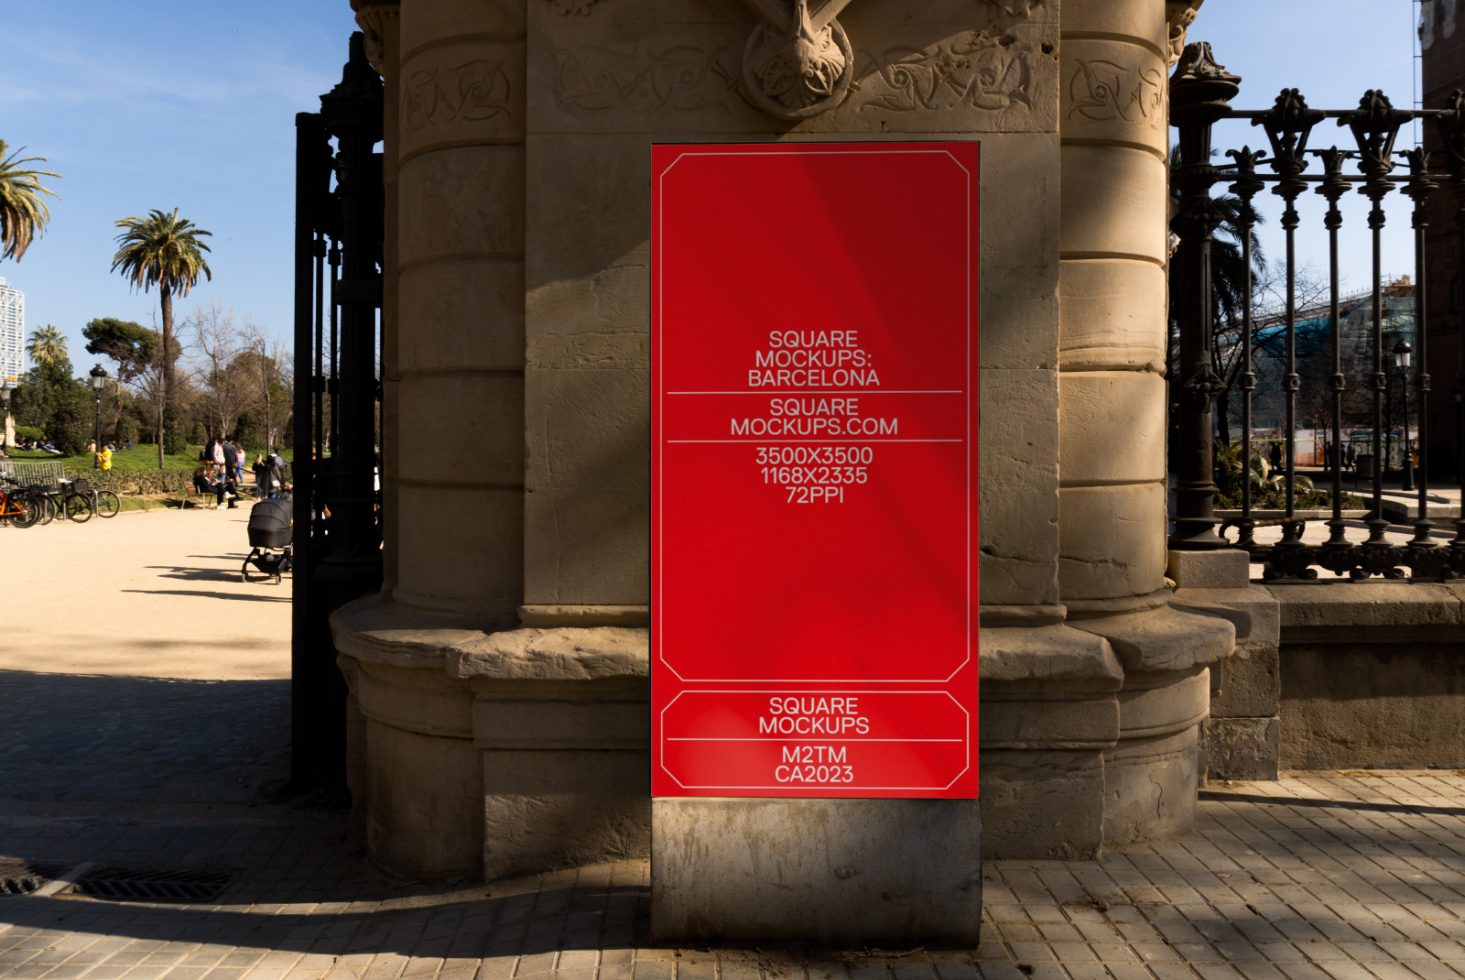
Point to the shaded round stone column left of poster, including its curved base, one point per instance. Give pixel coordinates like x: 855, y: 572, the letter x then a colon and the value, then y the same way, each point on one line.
x: 455, y: 427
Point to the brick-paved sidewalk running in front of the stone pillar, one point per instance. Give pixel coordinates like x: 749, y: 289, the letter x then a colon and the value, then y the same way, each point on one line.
x: 1321, y: 875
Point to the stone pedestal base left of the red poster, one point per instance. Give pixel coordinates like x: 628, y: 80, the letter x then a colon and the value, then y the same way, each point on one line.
x: 494, y: 754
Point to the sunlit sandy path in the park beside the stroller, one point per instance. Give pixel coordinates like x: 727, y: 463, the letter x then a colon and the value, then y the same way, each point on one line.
x: 152, y: 594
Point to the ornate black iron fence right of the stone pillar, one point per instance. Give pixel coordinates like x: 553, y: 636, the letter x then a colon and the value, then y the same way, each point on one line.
x: 1214, y: 190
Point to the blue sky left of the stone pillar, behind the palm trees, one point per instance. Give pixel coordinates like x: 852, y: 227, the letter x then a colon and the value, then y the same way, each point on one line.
x: 165, y: 105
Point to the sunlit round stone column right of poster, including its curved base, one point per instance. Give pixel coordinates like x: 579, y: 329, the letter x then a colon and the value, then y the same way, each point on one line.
x: 1113, y: 499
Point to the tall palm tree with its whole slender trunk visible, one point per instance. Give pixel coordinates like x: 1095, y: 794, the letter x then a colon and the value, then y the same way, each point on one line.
x: 165, y: 251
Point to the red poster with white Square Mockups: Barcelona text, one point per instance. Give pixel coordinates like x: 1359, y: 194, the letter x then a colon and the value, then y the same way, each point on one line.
x: 815, y: 471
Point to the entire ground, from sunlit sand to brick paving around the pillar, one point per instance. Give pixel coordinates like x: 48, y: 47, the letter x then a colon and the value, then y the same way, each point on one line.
x: 144, y: 761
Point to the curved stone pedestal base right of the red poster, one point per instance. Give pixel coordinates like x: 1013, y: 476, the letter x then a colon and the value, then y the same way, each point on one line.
x: 1091, y: 729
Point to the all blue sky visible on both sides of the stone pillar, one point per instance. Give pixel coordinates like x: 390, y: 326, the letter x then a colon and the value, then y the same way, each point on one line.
x: 193, y: 108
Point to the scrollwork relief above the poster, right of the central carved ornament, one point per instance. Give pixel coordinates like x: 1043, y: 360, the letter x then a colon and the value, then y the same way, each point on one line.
x: 968, y: 73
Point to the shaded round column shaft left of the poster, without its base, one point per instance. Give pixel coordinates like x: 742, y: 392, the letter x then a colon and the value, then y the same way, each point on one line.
x: 461, y: 291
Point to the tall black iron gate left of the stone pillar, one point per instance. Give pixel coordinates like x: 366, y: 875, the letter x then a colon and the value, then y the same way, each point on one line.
x: 338, y: 401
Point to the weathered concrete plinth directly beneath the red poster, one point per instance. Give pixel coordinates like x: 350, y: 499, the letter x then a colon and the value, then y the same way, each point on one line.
x: 831, y: 872
